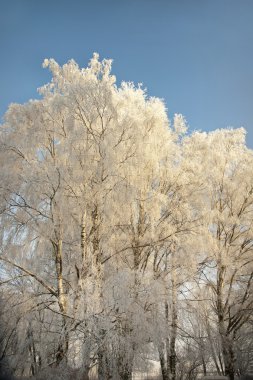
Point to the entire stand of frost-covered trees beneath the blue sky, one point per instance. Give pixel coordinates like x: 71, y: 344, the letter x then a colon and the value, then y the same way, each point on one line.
x: 126, y: 239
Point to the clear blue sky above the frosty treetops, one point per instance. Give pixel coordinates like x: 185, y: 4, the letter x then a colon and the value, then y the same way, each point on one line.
x: 195, y: 54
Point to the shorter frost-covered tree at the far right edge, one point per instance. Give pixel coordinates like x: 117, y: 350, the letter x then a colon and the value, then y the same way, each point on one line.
x: 226, y: 166
